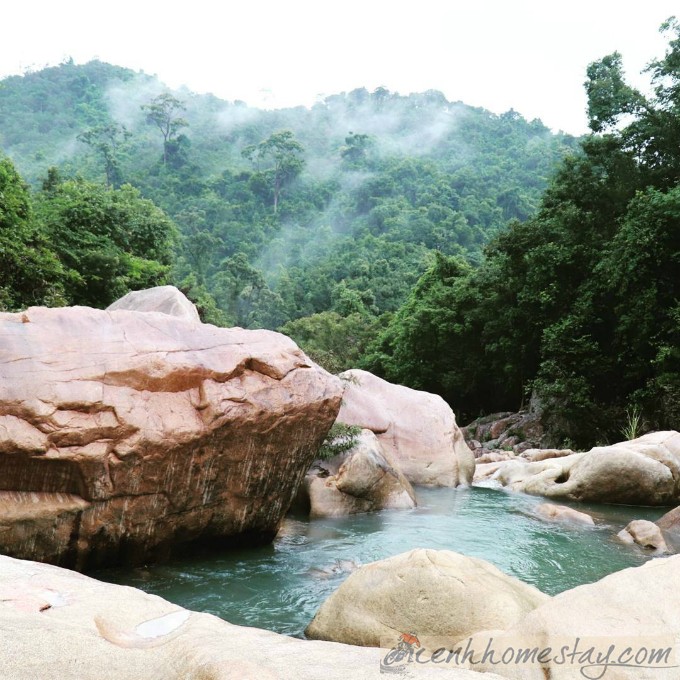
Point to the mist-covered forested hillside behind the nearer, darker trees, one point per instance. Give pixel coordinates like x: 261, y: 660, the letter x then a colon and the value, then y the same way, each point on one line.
x: 284, y: 215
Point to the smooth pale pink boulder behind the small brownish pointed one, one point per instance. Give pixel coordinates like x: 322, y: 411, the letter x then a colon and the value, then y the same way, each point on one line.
x: 416, y: 428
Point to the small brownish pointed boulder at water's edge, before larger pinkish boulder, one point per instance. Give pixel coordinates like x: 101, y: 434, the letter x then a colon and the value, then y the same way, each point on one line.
x: 364, y: 479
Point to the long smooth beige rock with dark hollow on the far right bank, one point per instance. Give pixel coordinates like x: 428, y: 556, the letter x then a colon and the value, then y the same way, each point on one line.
x: 644, y: 471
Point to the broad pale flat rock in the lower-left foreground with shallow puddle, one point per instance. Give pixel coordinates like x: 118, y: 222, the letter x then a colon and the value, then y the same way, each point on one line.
x: 59, y: 625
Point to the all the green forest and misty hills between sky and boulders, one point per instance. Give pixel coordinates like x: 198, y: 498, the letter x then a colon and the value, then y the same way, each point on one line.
x: 469, y: 253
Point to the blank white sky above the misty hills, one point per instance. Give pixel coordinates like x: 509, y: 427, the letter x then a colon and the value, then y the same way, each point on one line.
x: 529, y: 55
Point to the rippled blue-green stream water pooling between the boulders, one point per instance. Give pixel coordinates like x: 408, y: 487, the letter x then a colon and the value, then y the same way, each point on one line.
x: 280, y: 586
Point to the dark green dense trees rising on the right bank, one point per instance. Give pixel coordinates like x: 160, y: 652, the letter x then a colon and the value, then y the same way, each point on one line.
x: 579, y: 304
